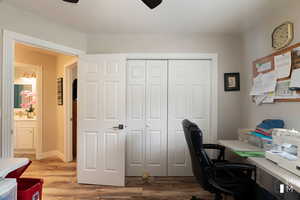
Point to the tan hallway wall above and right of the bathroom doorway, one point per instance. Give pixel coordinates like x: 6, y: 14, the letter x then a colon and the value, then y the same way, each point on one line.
x: 48, y: 63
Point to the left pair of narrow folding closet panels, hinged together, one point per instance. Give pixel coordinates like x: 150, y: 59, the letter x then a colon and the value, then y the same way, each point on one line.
x: 147, y: 118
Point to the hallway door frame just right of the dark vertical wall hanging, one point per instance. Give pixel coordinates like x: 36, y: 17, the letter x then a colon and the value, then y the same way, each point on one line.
x: 68, y: 135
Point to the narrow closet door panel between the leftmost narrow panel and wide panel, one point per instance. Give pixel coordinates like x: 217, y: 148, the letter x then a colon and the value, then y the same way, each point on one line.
x: 156, y: 117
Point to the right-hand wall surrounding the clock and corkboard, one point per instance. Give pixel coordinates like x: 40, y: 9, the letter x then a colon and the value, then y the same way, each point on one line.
x: 257, y: 43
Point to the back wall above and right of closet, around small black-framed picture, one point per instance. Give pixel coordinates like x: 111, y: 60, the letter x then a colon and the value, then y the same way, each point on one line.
x: 228, y: 48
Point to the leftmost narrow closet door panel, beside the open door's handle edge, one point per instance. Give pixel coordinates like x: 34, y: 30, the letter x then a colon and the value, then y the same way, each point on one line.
x: 136, y: 98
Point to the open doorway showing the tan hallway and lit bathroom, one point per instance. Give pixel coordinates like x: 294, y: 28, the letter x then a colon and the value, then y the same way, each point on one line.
x: 41, y: 98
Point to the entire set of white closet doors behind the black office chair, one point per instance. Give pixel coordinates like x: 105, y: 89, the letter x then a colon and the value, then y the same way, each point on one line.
x: 160, y: 94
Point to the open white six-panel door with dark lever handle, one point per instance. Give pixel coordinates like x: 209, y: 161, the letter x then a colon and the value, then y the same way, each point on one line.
x: 102, y: 104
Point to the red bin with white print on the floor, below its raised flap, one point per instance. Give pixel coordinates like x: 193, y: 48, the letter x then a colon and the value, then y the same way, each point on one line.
x: 29, y: 189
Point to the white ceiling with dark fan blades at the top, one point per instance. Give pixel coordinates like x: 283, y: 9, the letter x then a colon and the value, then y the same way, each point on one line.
x: 172, y: 16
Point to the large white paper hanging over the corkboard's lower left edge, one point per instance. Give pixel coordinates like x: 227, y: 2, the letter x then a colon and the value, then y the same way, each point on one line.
x: 264, y: 83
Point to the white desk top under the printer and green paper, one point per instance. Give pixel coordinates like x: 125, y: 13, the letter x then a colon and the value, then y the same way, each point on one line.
x: 271, y: 168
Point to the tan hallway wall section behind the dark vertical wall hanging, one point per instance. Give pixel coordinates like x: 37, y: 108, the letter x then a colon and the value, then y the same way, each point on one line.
x: 62, y: 62
